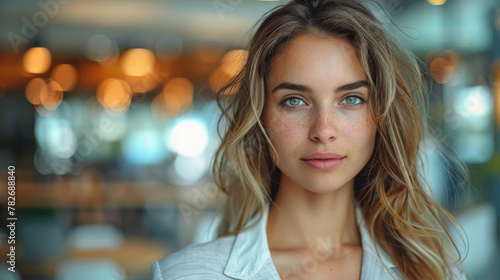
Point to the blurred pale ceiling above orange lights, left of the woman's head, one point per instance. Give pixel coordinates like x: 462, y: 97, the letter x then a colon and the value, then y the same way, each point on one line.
x: 71, y: 23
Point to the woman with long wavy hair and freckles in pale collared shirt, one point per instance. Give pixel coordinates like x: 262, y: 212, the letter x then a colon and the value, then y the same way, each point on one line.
x: 319, y: 160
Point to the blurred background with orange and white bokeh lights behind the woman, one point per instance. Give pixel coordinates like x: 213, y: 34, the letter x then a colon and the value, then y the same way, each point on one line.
x: 107, y: 114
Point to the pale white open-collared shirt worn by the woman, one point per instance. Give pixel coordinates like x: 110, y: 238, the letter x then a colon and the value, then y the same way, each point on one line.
x: 247, y: 256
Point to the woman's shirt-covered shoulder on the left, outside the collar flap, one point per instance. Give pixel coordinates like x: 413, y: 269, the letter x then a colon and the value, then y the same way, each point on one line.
x: 197, y: 261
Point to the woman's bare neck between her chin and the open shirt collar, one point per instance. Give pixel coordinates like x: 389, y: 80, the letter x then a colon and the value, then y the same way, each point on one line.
x: 300, y: 219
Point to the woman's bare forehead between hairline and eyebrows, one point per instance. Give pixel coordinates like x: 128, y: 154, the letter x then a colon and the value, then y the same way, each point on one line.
x: 311, y: 60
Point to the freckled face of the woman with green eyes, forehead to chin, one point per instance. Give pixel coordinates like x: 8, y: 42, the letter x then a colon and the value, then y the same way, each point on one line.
x: 317, y: 114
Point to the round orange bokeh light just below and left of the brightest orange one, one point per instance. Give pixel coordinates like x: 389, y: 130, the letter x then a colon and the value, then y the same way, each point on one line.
x: 114, y: 94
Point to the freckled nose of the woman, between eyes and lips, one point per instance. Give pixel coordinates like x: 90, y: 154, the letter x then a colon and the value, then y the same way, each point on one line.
x: 323, y: 127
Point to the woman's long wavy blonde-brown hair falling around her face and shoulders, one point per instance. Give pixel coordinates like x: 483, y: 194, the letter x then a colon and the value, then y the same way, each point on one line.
x: 402, y: 217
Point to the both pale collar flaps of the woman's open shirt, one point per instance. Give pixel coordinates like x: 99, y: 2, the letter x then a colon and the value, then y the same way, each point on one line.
x: 251, y: 250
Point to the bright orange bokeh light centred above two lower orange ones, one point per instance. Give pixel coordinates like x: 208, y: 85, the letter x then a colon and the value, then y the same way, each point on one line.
x: 138, y: 62
